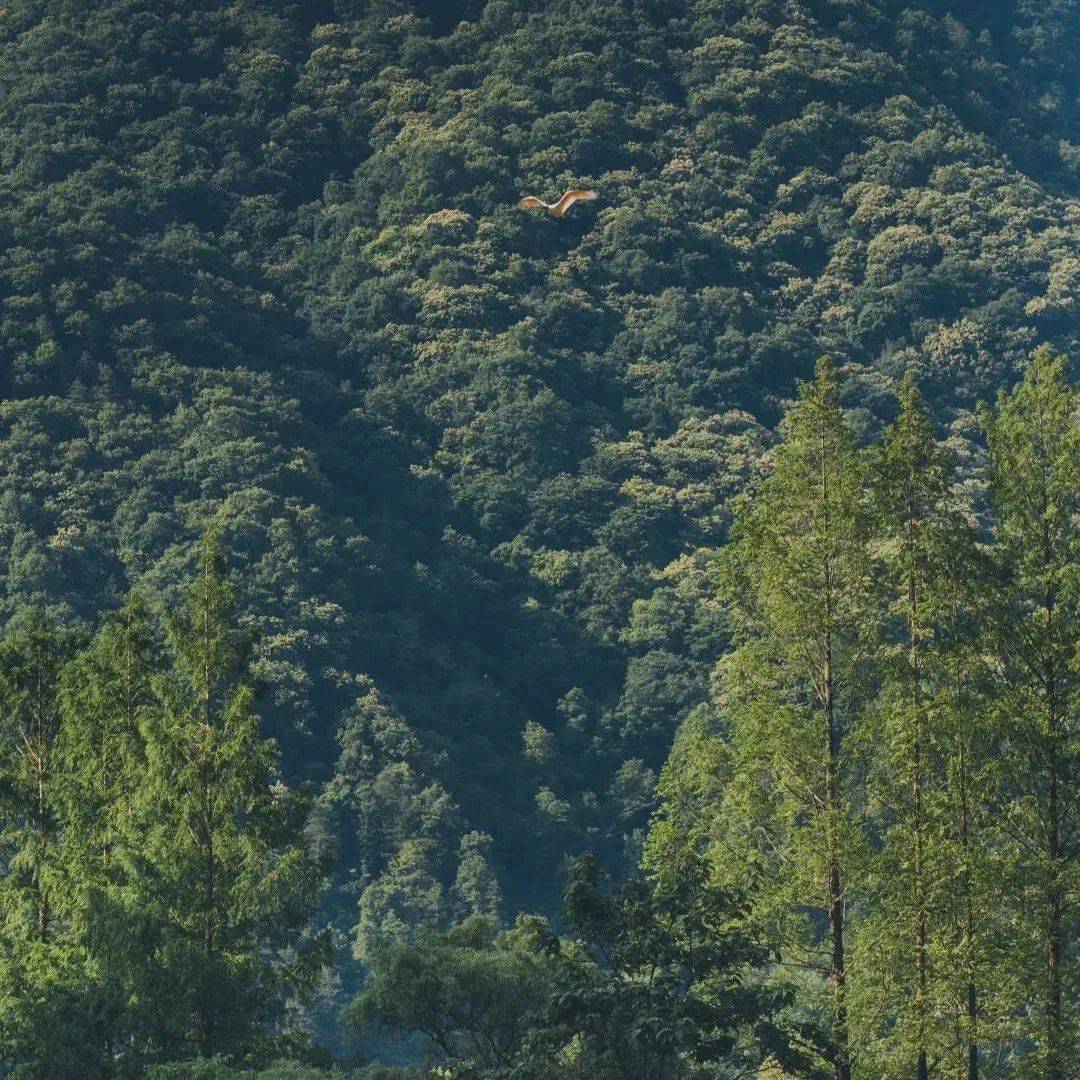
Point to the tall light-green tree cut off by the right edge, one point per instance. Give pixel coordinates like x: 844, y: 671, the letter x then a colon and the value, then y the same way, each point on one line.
x: 1035, y: 484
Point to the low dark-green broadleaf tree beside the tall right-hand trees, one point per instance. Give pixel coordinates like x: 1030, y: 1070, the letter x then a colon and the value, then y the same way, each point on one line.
x: 677, y: 988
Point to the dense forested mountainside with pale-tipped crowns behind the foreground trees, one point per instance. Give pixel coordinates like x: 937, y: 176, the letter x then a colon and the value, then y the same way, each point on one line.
x: 262, y: 272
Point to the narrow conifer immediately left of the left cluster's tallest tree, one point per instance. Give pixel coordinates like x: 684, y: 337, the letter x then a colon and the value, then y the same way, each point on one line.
x: 106, y: 698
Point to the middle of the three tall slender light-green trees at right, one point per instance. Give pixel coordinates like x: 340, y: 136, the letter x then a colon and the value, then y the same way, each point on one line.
x: 928, y: 570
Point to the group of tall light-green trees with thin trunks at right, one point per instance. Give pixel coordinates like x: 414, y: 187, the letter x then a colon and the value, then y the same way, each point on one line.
x: 895, y: 784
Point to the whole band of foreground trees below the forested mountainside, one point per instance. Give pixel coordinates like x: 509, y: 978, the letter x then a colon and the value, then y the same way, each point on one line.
x: 863, y: 863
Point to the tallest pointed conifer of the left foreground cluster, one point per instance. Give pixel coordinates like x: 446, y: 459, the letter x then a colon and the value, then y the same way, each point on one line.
x: 225, y: 881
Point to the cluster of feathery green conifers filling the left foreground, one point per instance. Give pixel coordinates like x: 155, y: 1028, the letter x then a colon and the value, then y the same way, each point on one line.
x: 158, y: 883
